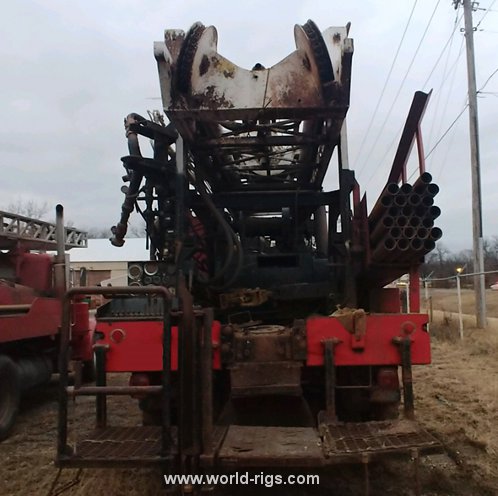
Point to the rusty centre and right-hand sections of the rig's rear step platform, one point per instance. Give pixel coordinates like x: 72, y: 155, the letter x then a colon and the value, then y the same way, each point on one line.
x: 331, y: 444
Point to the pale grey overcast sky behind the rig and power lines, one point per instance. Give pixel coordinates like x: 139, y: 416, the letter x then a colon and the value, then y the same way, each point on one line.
x: 72, y: 70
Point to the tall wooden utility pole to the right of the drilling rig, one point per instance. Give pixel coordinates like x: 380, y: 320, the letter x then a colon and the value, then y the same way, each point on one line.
x: 477, y: 236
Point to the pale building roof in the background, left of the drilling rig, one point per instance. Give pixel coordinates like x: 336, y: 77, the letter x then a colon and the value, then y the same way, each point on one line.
x: 101, y: 250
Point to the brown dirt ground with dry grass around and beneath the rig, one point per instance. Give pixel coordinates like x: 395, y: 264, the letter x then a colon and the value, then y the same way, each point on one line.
x: 456, y: 399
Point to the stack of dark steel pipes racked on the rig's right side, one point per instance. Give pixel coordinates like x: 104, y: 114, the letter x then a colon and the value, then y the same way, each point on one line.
x: 402, y: 222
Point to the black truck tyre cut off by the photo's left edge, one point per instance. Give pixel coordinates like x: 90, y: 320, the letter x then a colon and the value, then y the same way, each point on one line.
x: 10, y: 392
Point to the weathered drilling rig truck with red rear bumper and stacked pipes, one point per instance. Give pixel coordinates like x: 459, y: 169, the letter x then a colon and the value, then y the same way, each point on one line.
x: 262, y: 332
